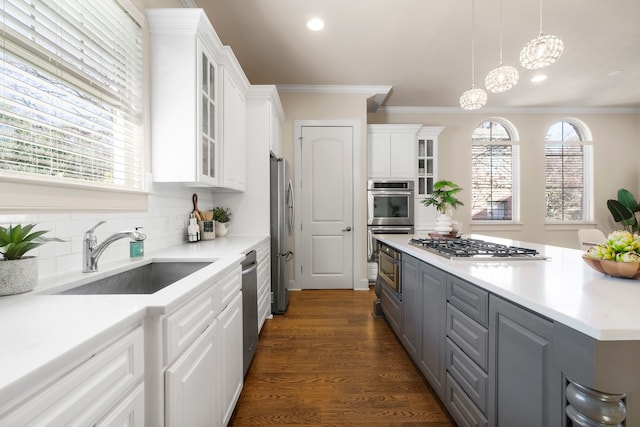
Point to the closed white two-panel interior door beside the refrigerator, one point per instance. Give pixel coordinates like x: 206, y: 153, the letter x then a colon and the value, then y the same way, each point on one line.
x: 327, y: 207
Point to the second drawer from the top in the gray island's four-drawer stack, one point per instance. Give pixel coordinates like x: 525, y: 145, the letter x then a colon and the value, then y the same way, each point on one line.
x: 469, y: 335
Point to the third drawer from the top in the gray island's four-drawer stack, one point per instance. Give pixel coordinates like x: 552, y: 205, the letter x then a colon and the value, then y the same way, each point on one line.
x: 468, y: 375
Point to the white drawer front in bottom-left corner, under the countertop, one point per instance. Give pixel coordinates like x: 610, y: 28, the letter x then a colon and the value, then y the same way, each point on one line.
x: 88, y: 389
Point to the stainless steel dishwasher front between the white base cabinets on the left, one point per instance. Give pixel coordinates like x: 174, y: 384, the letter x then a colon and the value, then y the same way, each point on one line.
x: 249, y: 308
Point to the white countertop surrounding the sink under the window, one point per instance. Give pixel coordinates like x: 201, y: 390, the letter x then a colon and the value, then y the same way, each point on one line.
x: 41, y: 333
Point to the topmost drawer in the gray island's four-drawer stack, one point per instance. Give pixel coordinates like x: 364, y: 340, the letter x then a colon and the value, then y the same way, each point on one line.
x: 472, y: 300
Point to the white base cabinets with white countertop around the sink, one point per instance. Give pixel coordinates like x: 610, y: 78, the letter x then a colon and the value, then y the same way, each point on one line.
x: 107, y: 359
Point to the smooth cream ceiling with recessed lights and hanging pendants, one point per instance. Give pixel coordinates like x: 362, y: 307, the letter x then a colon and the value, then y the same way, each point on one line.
x: 422, y: 48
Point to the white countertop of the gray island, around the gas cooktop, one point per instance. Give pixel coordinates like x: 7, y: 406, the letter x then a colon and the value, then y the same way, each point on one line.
x: 562, y: 287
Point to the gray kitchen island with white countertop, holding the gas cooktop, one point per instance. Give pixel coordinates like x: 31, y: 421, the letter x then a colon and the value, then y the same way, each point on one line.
x: 531, y: 342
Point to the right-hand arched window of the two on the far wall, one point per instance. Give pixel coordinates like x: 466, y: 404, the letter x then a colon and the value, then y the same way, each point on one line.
x: 568, y: 172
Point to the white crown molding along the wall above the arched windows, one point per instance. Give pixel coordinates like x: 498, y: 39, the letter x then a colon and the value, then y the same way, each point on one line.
x: 512, y: 110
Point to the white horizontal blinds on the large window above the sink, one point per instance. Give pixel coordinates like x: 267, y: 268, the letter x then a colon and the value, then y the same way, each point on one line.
x: 71, y: 82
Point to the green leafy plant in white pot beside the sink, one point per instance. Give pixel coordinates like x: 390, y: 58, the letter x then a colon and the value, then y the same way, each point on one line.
x: 19, y: 273
